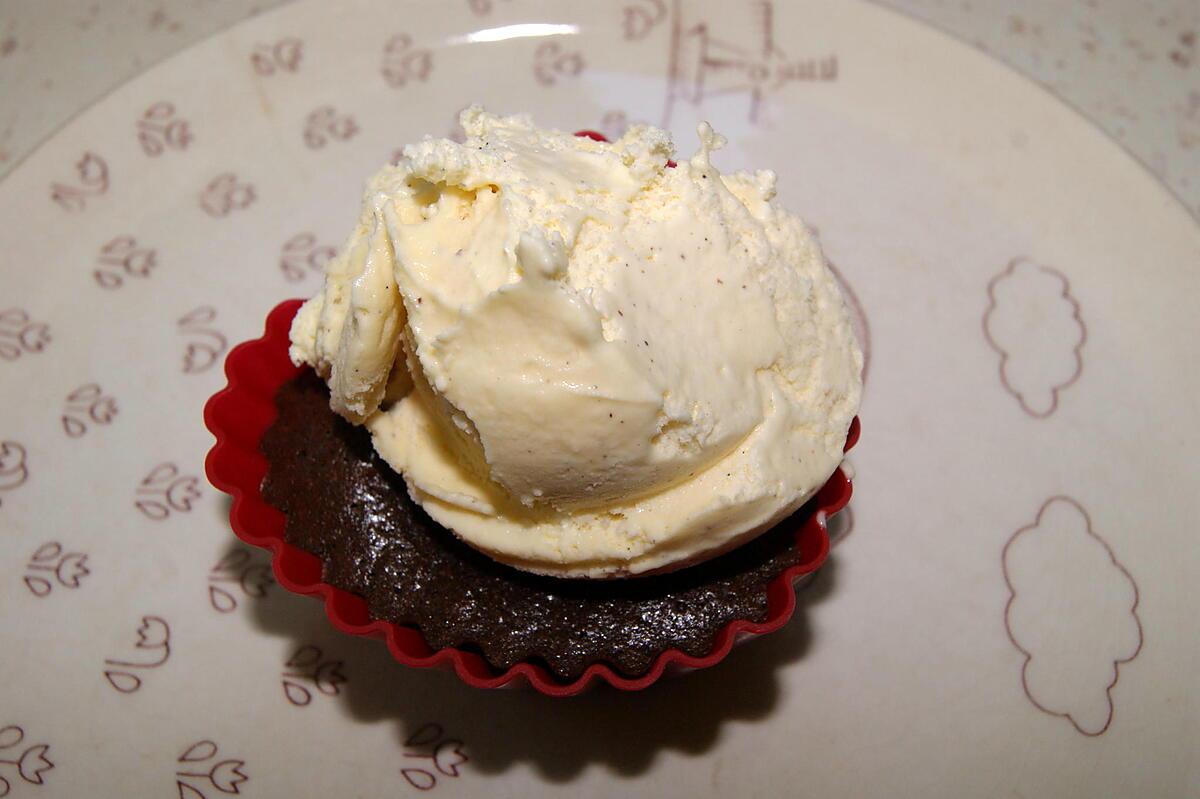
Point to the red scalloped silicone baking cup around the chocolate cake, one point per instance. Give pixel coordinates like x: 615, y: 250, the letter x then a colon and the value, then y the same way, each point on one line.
x: 239, y: 414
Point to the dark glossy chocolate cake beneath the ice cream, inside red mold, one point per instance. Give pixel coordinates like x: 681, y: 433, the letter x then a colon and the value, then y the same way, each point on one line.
x: 347, y: 507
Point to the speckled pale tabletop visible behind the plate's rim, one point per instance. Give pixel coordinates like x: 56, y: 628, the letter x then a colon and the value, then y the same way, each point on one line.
x: 1131, y: 68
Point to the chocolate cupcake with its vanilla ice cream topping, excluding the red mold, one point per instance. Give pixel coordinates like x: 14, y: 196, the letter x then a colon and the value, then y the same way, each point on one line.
x: 565, y: 400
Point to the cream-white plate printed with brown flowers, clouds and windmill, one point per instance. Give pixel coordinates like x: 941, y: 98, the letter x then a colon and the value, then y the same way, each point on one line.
x: 965, y: 640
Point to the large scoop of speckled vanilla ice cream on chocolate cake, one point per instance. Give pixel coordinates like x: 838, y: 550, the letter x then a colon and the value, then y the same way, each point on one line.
x: 584, y: 362
